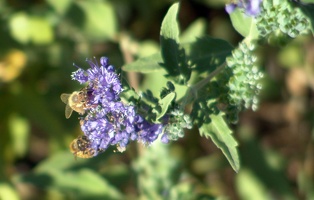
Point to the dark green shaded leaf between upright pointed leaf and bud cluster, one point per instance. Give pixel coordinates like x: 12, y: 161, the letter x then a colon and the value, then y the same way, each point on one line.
x: 207, y: 53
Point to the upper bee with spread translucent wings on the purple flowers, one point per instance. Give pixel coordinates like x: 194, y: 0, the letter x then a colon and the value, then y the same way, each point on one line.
x: 75, y: 101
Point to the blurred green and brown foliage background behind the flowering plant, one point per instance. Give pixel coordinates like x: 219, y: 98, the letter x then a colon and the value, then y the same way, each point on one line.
x: 40, y: 40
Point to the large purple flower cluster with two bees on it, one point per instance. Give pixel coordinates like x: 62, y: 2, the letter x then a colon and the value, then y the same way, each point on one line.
x: 108, y: 121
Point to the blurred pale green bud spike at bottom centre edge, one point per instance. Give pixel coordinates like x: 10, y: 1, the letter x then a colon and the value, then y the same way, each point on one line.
x: 157, y: 172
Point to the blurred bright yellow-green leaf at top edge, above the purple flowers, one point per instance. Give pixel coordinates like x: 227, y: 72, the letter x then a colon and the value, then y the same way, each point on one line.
x: 100, y: 22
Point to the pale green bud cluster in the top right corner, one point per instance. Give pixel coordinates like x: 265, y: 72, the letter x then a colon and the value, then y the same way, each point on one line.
x: 279, y: 17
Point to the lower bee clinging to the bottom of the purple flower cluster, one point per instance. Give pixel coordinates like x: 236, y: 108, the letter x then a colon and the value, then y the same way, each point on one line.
x: 81, y: 148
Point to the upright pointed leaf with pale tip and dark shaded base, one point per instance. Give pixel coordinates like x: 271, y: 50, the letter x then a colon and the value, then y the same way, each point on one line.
x: 174, y: 59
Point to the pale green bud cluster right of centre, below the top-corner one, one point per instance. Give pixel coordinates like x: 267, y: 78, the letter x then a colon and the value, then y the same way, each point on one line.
x: 243, y: 84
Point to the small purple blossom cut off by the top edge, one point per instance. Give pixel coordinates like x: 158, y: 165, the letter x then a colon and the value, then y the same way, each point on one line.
x: 251, y: 7
